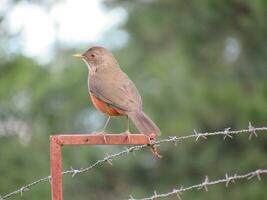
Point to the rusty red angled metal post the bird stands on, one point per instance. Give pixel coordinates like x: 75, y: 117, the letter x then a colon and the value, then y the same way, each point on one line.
x: 57, y: 141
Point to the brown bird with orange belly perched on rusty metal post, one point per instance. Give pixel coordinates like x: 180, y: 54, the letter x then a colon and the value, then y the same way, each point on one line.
x: 113, y: 92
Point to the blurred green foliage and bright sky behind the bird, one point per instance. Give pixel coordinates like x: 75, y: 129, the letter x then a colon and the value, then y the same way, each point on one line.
x: 197, y: 64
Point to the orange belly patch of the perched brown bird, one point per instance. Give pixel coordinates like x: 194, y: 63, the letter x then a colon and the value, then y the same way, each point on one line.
x: 105, y: 108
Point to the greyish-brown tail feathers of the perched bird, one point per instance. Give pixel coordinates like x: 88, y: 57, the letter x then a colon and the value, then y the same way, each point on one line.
x: 143, y: 123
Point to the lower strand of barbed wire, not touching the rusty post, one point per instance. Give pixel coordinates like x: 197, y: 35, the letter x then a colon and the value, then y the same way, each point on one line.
x: 204, y: 185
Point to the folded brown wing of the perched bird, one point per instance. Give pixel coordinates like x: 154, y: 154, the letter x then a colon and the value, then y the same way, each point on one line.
x: 115, y: 89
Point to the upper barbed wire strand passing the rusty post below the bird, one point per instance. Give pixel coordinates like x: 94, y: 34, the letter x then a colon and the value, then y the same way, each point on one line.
x: 227, y: 133
